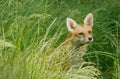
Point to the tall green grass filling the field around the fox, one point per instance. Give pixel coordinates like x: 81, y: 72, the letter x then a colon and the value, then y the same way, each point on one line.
x: 31, y: 31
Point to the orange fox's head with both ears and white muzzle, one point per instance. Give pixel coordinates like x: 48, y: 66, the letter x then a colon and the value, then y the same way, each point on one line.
x: 81, y: 32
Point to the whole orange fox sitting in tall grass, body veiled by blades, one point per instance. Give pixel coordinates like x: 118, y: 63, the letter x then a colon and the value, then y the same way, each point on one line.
x: 76, y: 43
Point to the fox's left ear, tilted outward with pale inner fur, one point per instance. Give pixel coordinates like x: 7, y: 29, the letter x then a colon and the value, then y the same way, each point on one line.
x: 71, y: 24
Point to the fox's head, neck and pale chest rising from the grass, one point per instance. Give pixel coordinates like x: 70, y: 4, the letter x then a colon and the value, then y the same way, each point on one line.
x: 81, y: 36
